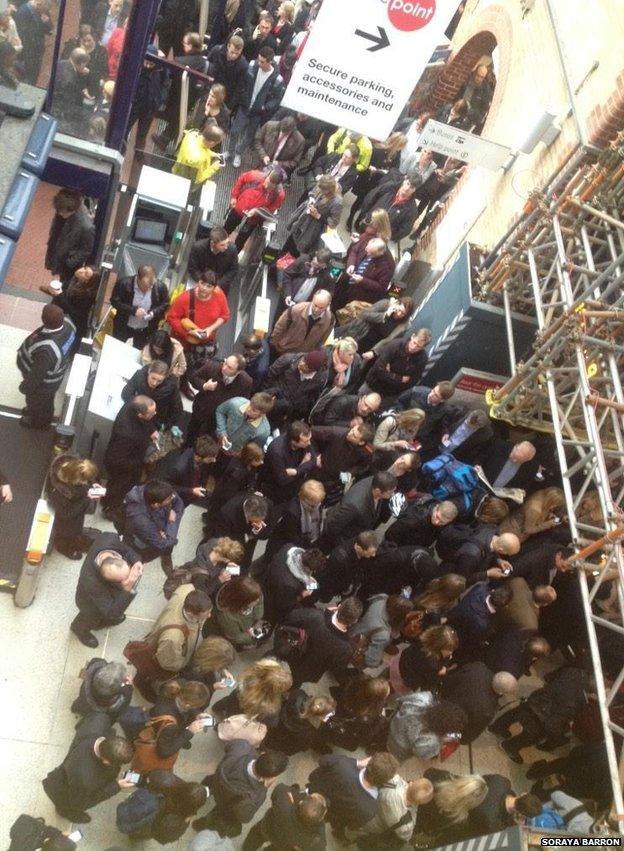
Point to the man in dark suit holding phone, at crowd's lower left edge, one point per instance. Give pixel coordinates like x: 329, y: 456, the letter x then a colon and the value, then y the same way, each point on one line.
x: 88, y: 774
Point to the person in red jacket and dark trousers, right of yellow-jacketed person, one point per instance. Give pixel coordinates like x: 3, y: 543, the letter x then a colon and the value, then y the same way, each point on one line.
x: 252, y: 190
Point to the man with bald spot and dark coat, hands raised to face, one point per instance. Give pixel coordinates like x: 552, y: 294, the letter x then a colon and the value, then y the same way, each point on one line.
x: 106, y: 586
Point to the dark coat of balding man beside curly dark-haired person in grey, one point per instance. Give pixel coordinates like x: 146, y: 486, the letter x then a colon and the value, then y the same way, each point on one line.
x: 470, y: 686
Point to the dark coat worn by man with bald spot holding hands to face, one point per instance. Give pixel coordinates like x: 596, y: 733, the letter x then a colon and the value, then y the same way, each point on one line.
x: 95, y: 597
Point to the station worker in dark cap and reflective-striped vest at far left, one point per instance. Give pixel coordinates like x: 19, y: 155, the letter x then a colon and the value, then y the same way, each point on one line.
x: 43, y: 359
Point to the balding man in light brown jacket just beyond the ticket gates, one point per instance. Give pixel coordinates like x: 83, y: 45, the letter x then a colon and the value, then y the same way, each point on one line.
x: 303, y: 327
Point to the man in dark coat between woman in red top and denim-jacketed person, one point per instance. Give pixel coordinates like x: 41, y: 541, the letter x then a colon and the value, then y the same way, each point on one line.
x: 216, y: 381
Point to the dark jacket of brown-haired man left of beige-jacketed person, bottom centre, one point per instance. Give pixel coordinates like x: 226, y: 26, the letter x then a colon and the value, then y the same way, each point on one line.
x: 337, y: 778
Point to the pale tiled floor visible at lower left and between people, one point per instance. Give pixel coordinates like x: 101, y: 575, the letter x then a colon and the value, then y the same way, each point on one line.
x: 39, y: 671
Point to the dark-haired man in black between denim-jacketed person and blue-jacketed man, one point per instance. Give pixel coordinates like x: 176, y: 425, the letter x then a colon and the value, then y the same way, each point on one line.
x: 188, y: 469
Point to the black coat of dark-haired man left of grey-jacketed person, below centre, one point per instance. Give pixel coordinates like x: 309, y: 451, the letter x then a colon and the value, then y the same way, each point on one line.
x: 327, y: 649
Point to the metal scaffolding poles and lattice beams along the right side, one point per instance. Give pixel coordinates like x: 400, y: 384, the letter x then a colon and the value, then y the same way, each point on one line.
x: 564, y: 264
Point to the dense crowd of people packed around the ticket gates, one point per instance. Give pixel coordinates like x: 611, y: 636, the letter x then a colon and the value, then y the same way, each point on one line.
x: 382, y: 564
